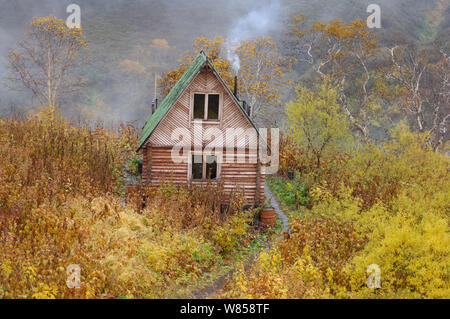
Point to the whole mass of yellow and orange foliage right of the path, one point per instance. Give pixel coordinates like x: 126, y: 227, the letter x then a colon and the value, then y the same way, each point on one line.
x: 386, y: 205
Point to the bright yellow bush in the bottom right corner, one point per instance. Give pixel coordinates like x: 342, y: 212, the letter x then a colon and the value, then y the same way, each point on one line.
x: 413, y: 259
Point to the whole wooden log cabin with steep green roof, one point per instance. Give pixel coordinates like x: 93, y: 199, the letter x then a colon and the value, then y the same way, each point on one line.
x: 203, y: 107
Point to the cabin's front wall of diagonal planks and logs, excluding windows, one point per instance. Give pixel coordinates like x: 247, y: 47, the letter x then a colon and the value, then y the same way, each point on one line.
x: 159, y: 166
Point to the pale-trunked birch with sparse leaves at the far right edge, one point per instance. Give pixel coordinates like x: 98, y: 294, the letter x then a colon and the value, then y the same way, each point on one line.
x: 421, y: 80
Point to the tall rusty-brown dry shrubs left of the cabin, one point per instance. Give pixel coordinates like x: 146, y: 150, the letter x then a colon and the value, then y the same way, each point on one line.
x: 46, y: 159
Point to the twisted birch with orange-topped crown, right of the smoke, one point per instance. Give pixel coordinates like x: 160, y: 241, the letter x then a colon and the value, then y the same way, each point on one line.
x: 346, y: 54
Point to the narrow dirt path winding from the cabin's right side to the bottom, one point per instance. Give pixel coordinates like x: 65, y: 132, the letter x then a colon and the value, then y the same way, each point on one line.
x: 218, y: 284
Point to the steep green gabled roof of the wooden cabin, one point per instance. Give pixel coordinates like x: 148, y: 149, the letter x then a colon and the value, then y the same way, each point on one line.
x: 175, y: 93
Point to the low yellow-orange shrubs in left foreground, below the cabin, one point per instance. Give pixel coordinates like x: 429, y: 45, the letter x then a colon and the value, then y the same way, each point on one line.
x: 122, y: 253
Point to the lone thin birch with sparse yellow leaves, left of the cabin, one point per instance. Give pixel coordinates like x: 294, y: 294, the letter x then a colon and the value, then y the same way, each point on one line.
x: 46, y: 62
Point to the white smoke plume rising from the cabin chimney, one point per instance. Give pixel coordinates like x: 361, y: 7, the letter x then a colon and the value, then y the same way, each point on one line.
x: 256, y: 23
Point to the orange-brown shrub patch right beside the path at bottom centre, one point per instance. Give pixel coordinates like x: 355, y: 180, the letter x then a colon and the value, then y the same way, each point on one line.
x: 307, y: 263
